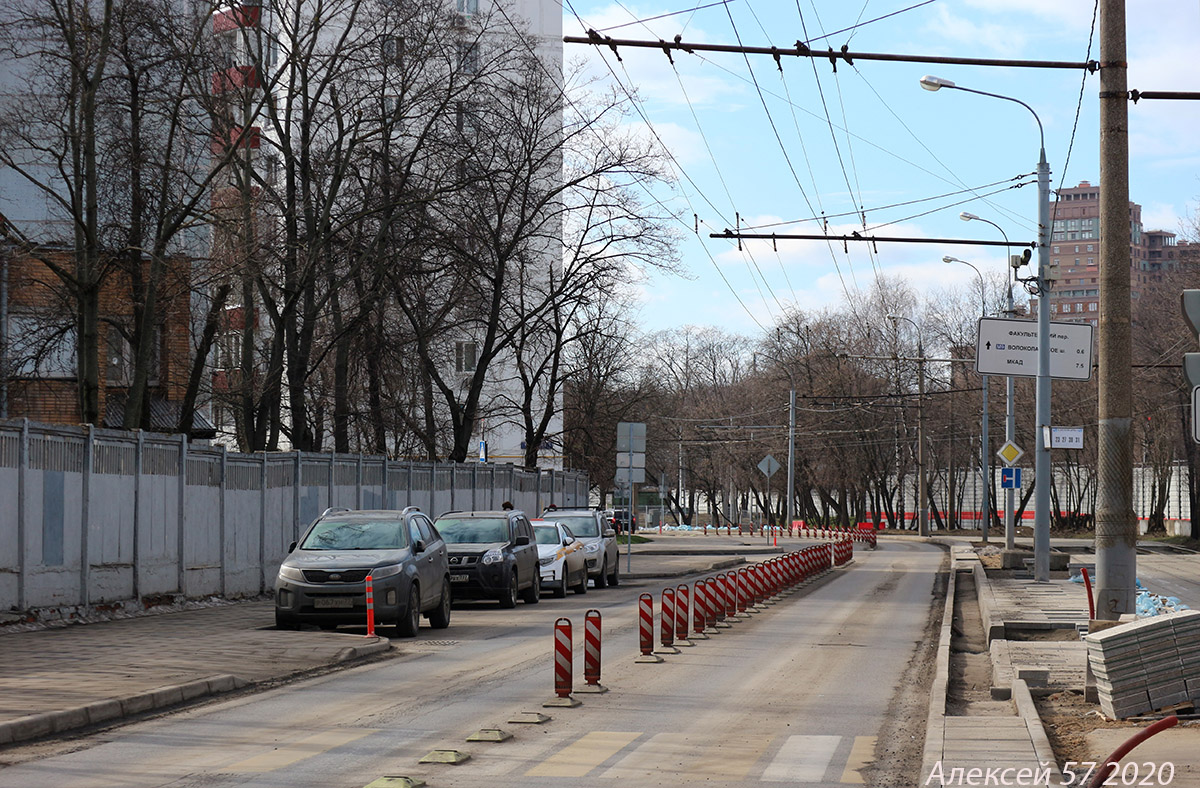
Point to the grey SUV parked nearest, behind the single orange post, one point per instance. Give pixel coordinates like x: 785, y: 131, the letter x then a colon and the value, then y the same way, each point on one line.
x: 323, y: 579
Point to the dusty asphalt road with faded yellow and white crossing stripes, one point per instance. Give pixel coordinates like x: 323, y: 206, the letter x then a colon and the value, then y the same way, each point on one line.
x: 797, y: 694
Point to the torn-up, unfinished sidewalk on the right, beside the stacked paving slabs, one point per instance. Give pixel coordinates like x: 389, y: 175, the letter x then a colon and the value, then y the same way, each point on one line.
x: 1030, y: 635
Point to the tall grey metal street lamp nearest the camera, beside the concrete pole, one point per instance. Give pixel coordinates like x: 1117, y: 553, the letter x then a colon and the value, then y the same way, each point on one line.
x: 1042, y: 453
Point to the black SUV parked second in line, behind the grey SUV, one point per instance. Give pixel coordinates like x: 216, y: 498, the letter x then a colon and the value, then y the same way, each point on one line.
x: 493, y: 556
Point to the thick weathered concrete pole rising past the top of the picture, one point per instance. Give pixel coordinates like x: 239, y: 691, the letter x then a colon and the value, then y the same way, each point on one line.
x: 1117, y: 526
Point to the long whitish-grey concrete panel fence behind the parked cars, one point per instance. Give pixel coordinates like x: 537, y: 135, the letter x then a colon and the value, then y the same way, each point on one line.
x: 92, y: 516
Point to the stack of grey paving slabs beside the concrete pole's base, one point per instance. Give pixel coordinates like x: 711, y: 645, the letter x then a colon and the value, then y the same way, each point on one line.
x: 1147, y: 665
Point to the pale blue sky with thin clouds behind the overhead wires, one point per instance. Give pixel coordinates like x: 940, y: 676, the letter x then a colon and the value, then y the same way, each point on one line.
x: 790, y: 147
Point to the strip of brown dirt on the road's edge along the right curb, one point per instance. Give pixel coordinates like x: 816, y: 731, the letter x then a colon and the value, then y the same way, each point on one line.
x: 901, y: 745
